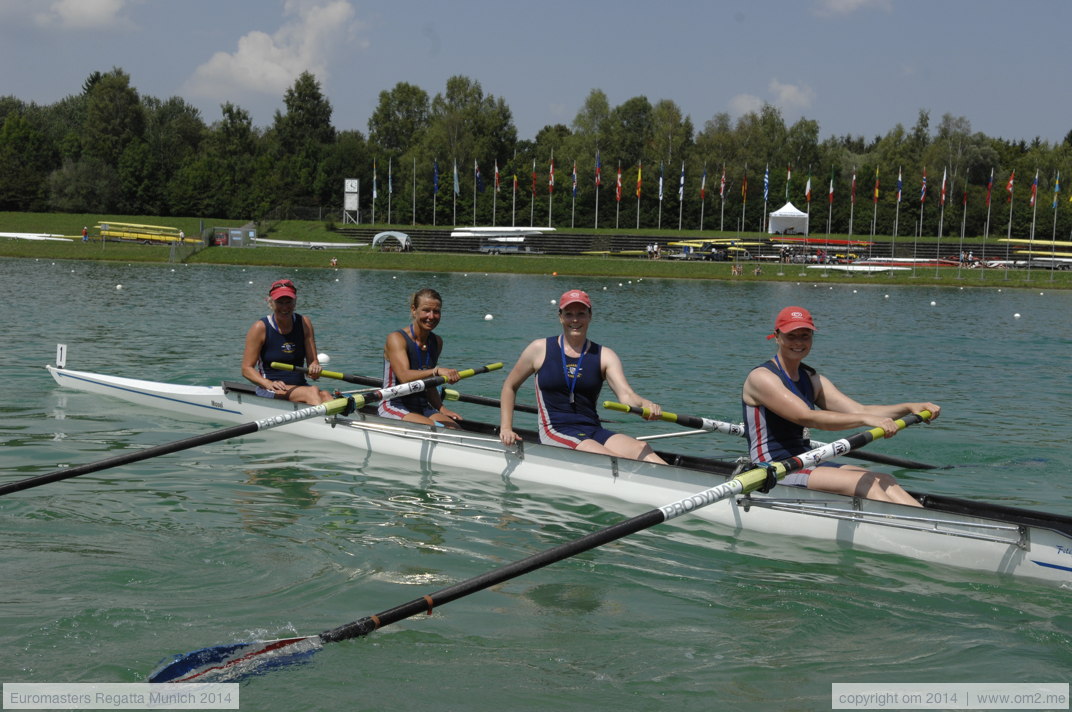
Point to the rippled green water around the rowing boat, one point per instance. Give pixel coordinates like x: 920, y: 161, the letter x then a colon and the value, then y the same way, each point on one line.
x: 269, y: 537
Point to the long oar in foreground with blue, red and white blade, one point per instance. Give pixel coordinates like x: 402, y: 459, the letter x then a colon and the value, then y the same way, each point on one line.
x: 236, y: 661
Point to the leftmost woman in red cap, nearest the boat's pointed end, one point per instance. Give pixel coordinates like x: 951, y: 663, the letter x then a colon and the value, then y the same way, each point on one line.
x: 287, y: 338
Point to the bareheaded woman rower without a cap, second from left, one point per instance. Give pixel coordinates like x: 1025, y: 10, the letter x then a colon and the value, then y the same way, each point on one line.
x: 413, y: 354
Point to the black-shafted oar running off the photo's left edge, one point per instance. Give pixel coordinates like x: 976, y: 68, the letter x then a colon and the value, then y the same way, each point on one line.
x: 332, y: 408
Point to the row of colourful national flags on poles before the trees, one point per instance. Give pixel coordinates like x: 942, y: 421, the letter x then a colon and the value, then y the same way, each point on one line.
x: 480, y: 185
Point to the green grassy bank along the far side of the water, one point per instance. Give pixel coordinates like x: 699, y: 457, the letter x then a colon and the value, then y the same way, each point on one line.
x: 368, y: 259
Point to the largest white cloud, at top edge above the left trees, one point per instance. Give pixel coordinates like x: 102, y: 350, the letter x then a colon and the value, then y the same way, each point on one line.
x: 270, y: 64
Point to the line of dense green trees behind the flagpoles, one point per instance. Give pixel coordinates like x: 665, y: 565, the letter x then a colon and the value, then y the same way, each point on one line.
x: 110, y: 150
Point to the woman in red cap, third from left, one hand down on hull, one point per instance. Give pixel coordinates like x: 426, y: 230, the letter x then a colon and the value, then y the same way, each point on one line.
x: 571, y: 372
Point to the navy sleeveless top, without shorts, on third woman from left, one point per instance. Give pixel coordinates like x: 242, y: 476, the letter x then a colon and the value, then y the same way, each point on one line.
x: 559, y: 377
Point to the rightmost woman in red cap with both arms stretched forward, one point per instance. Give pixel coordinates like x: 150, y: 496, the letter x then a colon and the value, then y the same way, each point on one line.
x: 785, y: 396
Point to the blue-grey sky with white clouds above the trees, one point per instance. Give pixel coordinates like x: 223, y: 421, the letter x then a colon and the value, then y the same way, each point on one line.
x: 857, y: 67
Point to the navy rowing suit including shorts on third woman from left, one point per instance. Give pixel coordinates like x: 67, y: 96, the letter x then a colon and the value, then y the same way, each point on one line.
x: 568, y: 391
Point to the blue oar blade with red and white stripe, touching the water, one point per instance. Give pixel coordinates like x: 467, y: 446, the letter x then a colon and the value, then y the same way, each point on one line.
x: 237, y: 661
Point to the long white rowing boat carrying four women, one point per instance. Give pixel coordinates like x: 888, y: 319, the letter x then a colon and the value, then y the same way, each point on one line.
x: 948, y: 532
